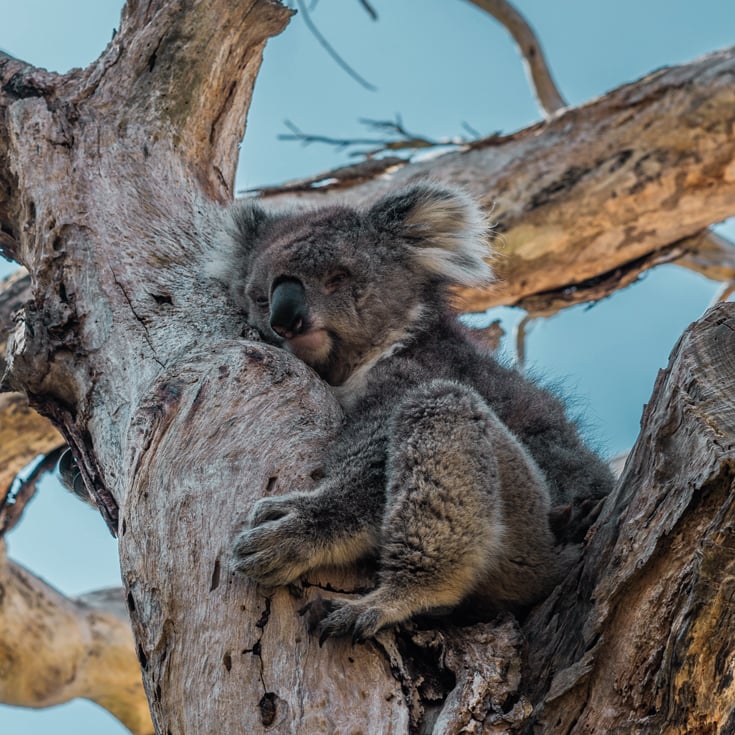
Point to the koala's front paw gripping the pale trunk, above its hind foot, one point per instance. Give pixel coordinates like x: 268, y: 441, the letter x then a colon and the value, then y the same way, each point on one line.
x: 280, y: 543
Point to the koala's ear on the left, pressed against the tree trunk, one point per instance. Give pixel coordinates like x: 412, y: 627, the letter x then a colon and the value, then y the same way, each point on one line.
x: 243, y: 226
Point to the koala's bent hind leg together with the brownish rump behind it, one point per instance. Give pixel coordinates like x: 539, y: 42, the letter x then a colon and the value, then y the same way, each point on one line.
x: 466, y: 516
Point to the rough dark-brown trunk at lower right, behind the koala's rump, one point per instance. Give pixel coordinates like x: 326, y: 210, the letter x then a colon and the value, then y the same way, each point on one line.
x: 642, y: 638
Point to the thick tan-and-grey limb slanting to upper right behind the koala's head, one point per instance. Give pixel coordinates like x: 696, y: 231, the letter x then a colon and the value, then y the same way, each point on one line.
x: 592, y: 189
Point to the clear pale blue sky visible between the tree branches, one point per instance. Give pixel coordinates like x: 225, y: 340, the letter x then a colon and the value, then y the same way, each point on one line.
x: 437, y: 63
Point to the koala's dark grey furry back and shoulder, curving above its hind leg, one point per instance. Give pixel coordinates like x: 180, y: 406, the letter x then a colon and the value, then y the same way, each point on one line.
x: 532, y: 413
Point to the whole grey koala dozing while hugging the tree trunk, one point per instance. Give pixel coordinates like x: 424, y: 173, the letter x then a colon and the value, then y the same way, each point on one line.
x: 450, y: 468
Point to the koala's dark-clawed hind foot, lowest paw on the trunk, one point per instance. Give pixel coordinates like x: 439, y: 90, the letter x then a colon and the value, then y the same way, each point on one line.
x: 336, y: 618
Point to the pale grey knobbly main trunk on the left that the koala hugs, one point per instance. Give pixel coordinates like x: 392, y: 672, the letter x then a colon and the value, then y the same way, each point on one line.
x: 137, y: 356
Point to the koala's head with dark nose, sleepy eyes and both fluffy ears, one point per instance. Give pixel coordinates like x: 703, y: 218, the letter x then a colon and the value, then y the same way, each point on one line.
x: 339, y: 286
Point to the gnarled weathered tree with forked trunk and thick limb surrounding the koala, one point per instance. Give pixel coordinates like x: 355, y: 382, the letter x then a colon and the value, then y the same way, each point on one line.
x: 112, y: 177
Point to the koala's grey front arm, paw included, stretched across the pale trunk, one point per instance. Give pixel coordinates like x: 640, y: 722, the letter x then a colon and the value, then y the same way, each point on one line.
x: 333, y: 525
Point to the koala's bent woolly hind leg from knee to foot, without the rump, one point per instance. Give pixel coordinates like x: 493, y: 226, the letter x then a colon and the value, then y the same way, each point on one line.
x: 443, y: 529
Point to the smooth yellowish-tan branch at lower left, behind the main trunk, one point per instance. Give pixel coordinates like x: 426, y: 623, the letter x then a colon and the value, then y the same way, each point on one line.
x: 54, y: 648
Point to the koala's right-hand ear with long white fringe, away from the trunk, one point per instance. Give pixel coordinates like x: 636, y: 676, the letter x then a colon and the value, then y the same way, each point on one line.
x: 447, y: 230
